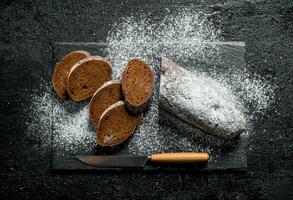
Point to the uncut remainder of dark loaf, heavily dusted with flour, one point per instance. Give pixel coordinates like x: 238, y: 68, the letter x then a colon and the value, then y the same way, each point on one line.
x: 200, y: 101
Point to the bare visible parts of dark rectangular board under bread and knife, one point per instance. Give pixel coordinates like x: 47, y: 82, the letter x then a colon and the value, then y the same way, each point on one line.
x: 224, y: 155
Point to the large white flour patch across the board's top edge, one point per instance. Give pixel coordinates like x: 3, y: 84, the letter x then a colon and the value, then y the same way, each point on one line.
x: 185, y: 33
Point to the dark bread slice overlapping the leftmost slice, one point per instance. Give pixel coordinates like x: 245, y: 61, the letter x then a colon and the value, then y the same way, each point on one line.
x: 87, y: 76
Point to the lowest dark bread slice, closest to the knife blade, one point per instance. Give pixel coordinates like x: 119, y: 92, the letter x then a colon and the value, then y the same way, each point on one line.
x: 116, y: 125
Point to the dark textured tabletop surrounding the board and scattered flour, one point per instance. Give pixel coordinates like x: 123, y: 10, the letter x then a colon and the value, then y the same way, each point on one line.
x: 28, y: 29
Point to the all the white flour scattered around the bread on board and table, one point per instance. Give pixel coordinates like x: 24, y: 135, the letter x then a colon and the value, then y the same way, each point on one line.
x: 180, y: 34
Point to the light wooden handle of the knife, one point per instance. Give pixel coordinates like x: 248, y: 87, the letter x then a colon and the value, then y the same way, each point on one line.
x: 182, y: 157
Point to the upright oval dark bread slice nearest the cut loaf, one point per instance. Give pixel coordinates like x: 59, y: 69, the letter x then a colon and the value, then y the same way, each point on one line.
x: 137, y: 85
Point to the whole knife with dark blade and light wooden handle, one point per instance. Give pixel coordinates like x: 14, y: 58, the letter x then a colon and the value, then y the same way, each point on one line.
x: 140, y: 161
